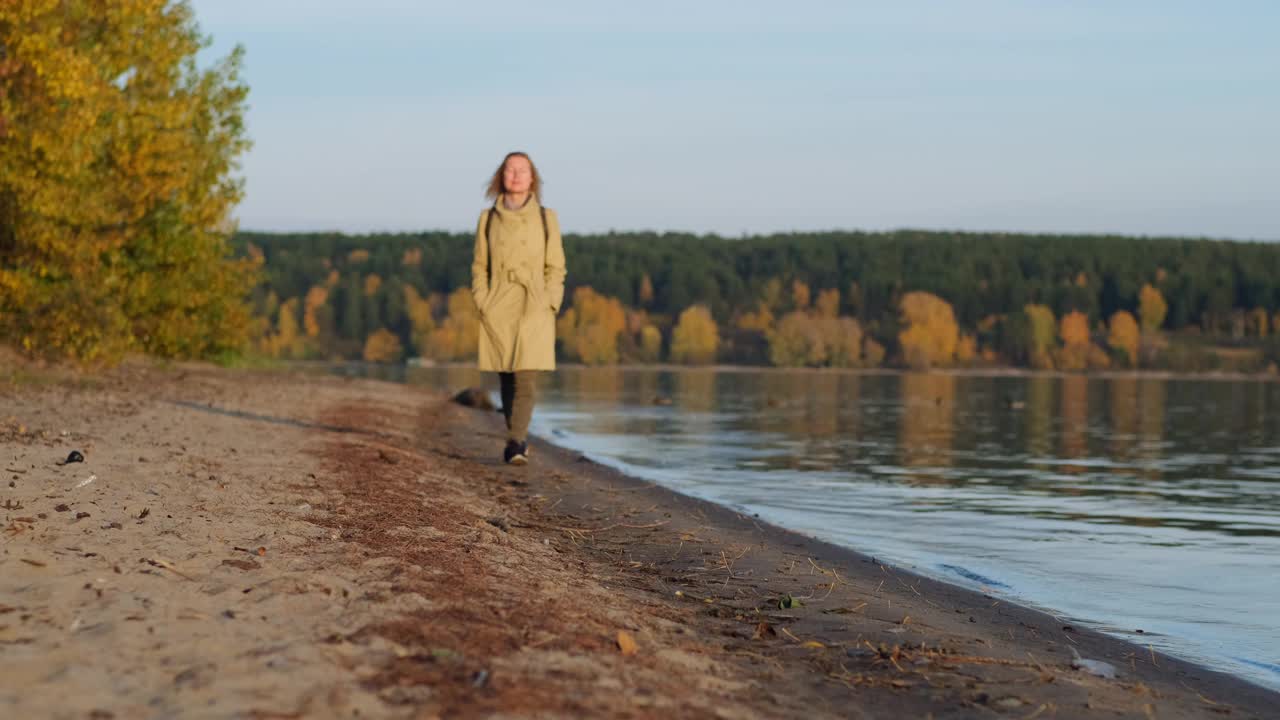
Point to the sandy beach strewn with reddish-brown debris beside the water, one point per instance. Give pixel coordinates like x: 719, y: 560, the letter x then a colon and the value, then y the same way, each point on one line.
x: 291, y: 545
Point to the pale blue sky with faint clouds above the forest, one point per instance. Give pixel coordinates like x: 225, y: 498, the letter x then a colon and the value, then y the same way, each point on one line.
x: 1154, y: 117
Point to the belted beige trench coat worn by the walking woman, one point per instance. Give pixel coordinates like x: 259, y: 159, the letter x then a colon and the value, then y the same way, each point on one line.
x: 518, y: 280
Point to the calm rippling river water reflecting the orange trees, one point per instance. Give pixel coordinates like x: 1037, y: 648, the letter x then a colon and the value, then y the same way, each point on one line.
x: 1123, y: 503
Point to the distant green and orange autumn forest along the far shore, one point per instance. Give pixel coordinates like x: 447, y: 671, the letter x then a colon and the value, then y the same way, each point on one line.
x: 853, y: 299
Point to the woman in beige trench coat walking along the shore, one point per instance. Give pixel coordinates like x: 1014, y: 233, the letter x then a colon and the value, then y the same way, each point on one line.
x: 518, y: 280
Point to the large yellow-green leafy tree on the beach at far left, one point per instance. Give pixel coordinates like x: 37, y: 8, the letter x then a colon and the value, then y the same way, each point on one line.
x: 117, y: 160
